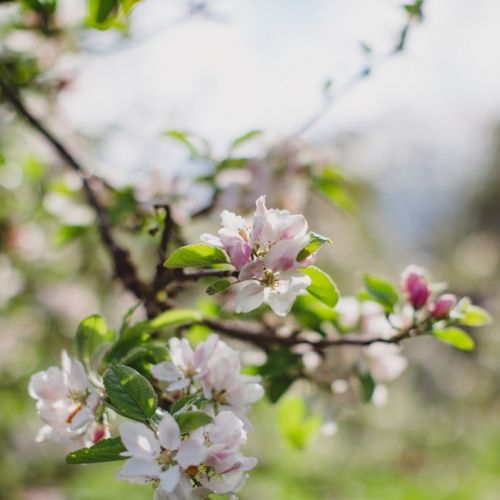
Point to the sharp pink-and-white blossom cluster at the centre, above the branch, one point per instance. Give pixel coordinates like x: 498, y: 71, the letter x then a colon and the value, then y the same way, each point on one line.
x: 264, y: 251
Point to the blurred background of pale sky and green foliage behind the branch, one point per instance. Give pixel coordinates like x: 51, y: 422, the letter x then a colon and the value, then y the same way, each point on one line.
x: 415, y: 133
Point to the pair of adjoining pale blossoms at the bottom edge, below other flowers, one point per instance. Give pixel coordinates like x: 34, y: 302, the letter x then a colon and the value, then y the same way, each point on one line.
x: 206, y: 461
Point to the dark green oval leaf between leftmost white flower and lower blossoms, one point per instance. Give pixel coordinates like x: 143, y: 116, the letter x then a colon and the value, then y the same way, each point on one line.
x: 130, y: 394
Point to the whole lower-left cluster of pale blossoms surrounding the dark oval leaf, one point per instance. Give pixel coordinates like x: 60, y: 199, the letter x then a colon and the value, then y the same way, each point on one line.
x: 179, y: 464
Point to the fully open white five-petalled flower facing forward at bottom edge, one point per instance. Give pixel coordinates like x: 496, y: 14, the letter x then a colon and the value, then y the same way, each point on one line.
x: 159, y: 459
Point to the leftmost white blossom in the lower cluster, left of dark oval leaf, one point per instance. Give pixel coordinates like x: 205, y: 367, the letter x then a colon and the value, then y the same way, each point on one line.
x: 65, y: 401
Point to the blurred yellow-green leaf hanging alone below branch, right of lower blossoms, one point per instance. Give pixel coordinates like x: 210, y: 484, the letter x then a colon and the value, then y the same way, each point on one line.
x: 294, y: 424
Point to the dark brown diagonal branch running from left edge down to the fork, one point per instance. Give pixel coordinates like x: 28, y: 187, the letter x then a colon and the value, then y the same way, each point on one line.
x: 124, y: 269
